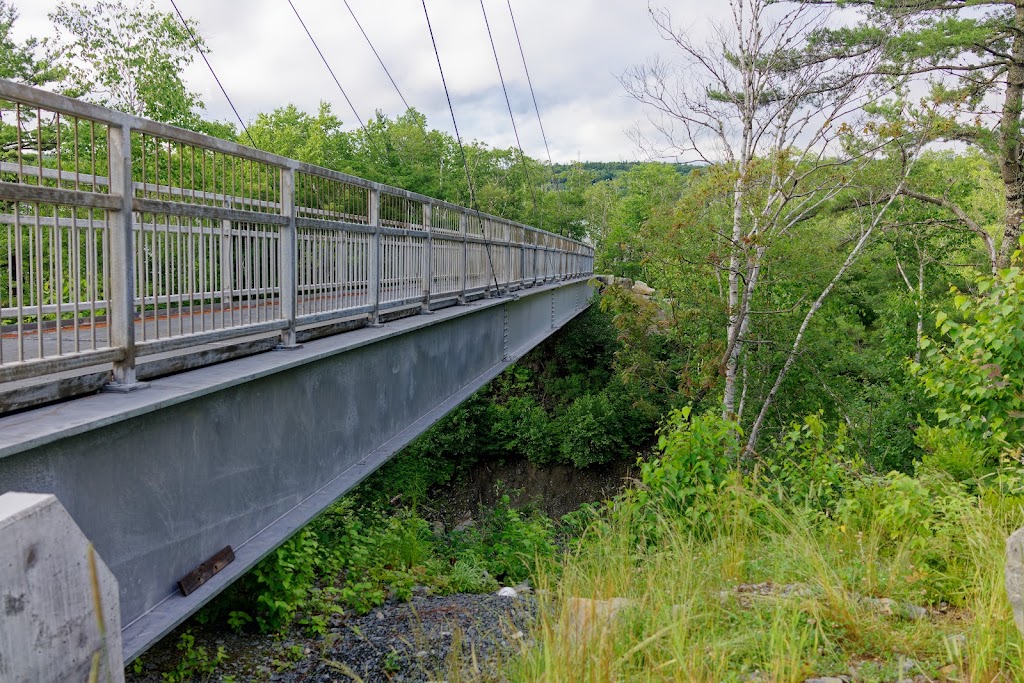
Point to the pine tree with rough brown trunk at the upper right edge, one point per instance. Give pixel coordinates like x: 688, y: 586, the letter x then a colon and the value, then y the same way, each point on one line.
x: 971, y: 57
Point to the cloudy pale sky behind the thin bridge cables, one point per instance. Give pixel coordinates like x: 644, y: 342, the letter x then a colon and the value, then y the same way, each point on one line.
x: 575, y: 51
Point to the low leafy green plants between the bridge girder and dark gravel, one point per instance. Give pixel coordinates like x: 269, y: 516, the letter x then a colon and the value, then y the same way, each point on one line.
x: 355, y: 558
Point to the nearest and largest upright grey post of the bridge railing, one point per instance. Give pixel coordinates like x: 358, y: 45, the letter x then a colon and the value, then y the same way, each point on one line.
x: 122, y: 268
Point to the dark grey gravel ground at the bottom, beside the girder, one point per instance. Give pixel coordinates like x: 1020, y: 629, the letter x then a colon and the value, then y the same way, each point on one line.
x: 420, y: 641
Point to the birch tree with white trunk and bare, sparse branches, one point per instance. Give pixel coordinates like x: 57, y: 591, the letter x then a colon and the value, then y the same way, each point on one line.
x: 756, y: 99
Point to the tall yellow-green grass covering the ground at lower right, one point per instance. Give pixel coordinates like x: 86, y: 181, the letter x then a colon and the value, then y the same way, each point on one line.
x: 769, y: 592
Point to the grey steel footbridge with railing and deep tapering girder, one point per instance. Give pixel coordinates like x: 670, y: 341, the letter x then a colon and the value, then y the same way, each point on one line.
x: 145, y: 268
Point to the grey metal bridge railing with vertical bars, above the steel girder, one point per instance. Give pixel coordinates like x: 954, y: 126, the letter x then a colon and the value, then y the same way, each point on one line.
x: 125, y: 238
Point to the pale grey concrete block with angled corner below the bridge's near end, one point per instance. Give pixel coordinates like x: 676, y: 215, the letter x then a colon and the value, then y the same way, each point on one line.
x: 60, y: 619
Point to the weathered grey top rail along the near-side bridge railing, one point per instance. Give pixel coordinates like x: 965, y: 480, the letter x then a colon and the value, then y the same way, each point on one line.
x: 32, y: 97
